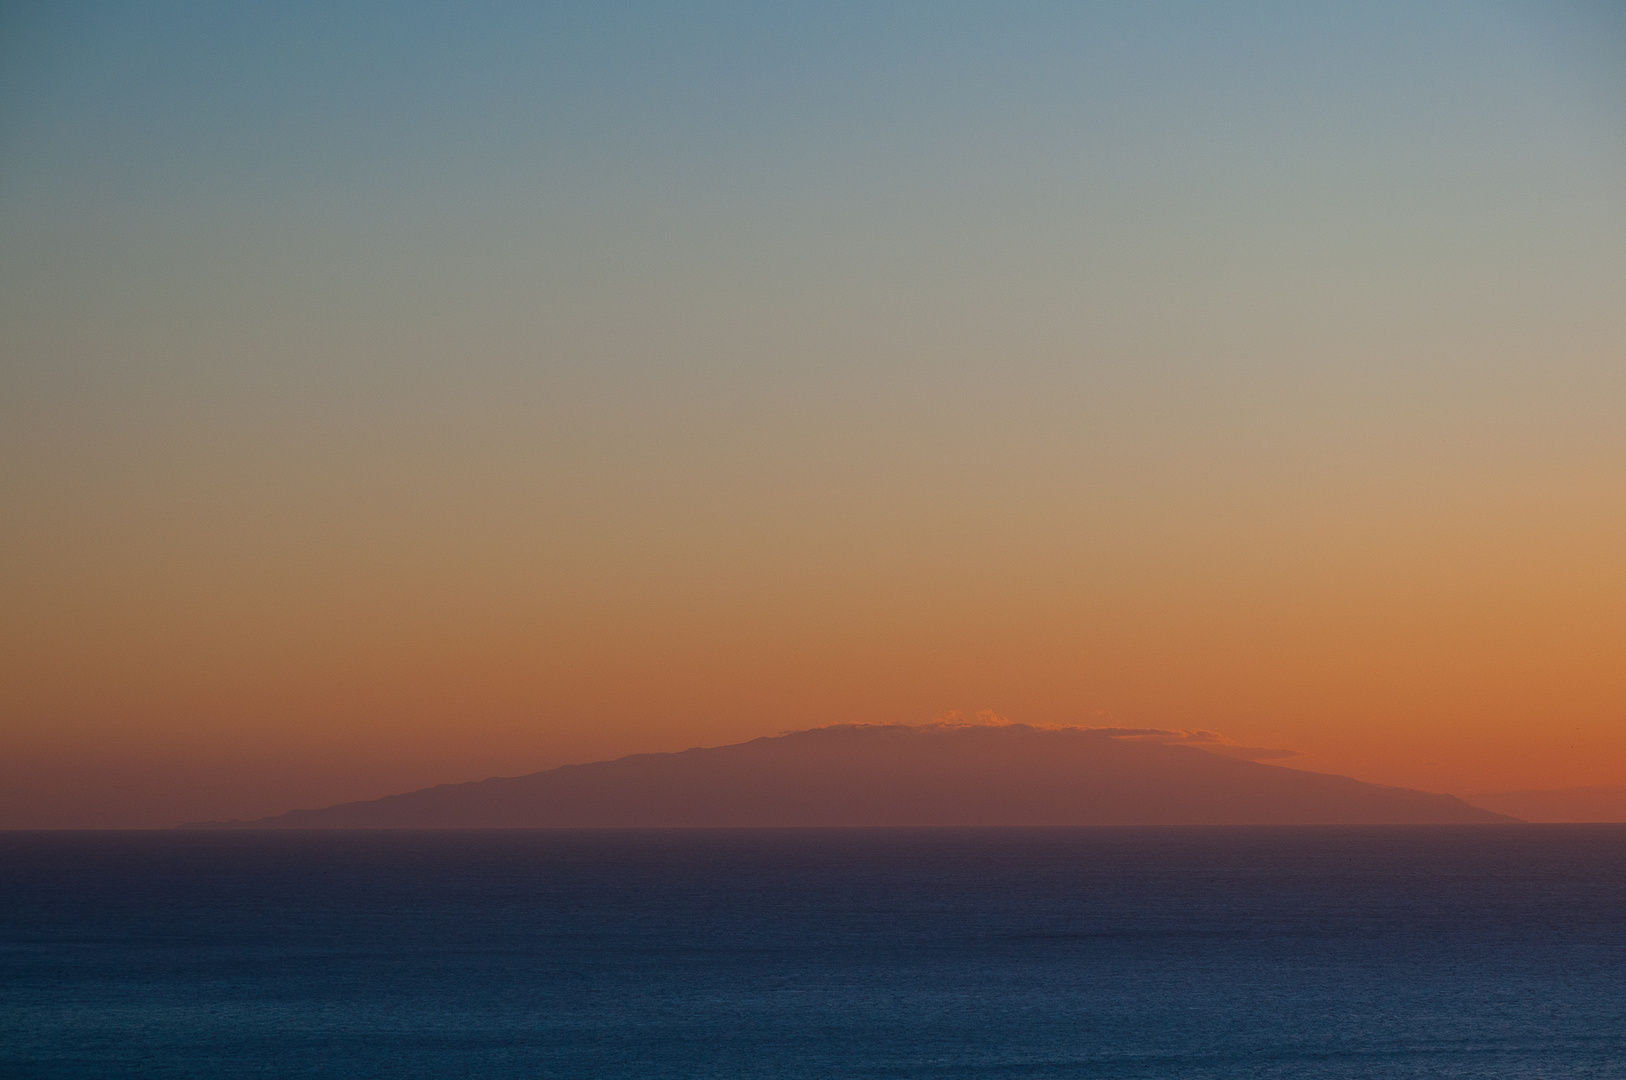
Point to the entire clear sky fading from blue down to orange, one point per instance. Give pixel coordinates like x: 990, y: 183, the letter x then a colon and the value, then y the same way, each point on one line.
x: 406, y: 394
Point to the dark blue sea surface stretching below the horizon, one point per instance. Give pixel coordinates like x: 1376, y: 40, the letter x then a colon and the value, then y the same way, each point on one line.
x: 1474, y: 952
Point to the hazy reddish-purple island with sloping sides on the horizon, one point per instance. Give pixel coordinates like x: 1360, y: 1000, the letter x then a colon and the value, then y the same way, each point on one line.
x: 893, y: 775
